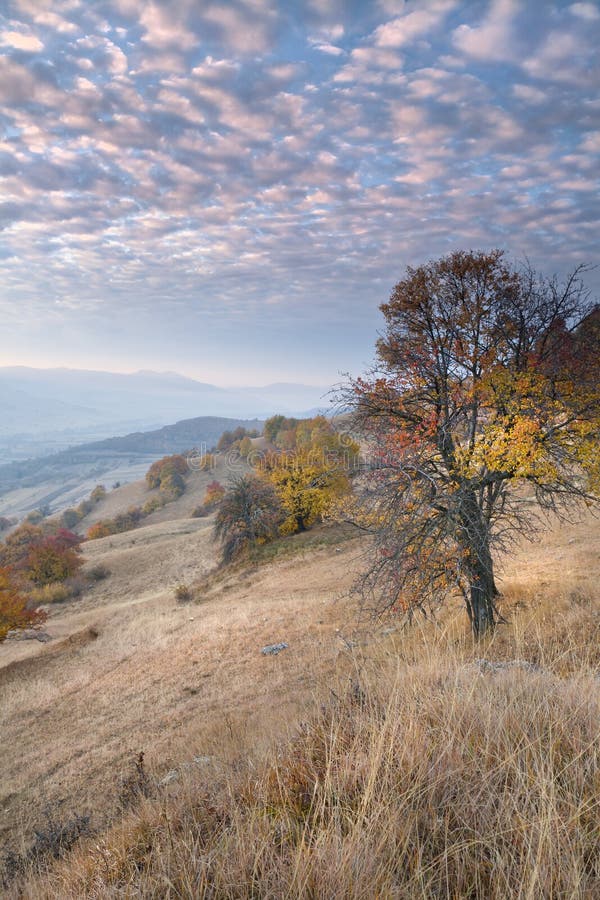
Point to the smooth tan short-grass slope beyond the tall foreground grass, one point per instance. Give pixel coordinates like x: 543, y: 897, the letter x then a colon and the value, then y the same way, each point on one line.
x: 130, y: 669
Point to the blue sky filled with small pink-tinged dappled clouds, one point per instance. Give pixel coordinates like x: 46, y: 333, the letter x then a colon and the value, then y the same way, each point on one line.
x: 230, y: 189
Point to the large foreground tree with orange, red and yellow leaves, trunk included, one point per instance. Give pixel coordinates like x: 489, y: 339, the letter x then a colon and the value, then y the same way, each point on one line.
x: 483, y: 409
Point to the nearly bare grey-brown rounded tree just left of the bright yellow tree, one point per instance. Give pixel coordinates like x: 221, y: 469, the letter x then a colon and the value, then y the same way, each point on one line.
x: 248, y: 514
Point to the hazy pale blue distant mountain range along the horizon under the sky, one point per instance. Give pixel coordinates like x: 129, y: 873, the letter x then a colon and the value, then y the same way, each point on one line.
x: 50, y: 409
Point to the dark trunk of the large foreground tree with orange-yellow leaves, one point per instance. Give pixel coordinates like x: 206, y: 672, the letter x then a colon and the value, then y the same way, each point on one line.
x: 480, y: 567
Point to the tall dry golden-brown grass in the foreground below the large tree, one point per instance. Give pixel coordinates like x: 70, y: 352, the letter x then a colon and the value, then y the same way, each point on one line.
x: 428, y: 774
